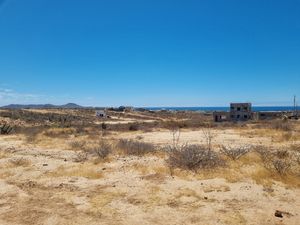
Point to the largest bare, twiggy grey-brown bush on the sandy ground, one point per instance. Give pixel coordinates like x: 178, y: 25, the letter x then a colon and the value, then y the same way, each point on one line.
x: 193, y: 157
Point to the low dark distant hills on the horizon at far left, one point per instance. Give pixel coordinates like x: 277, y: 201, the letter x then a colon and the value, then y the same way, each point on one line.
x: 43, y: 106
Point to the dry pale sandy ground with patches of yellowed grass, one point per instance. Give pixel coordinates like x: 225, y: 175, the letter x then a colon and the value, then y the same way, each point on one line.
x: 47, y: 184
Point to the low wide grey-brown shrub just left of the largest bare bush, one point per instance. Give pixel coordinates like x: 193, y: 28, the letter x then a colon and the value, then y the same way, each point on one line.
x: 131, y: 147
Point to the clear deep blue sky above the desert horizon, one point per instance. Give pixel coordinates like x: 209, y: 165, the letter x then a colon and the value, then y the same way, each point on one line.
x: 149, y: 52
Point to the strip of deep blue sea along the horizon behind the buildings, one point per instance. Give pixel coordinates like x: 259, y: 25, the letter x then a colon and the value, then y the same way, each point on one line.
x: 209, y: 109
